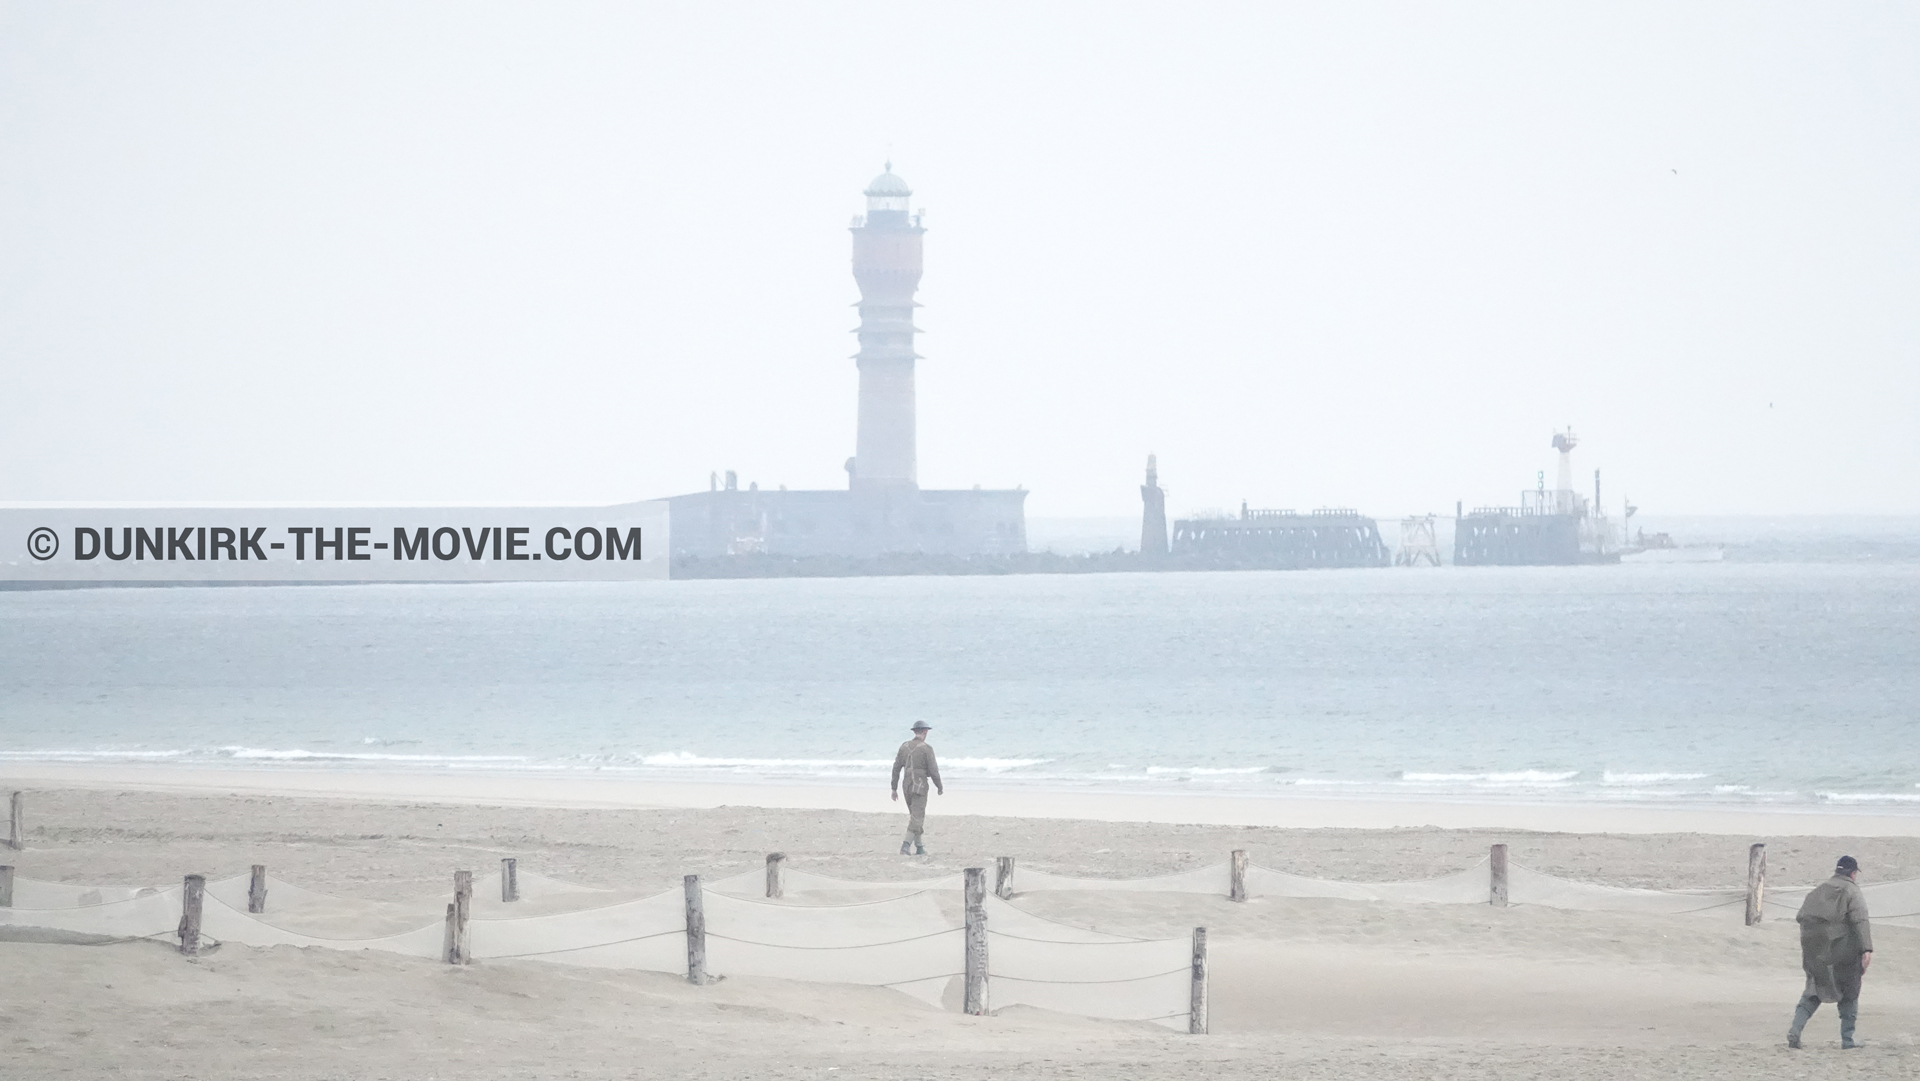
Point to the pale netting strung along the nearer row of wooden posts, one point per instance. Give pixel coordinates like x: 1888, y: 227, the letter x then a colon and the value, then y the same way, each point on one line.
x: 913, y: 942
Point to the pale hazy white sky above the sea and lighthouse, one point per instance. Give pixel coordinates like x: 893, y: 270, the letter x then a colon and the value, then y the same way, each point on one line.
x: 1339, y: 254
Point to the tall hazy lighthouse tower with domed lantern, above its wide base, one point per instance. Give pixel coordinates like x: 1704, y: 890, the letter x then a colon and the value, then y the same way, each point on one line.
x: 886, y: 264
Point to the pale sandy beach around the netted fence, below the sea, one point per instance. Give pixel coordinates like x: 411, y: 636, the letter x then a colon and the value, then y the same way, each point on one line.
x: 1305, y: 988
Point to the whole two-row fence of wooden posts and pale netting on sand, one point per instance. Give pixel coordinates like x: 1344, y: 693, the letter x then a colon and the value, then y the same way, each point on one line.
x: 794, y: 925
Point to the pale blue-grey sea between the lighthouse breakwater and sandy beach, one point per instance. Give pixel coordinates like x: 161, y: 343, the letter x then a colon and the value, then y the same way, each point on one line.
x: 1683, y: 683
